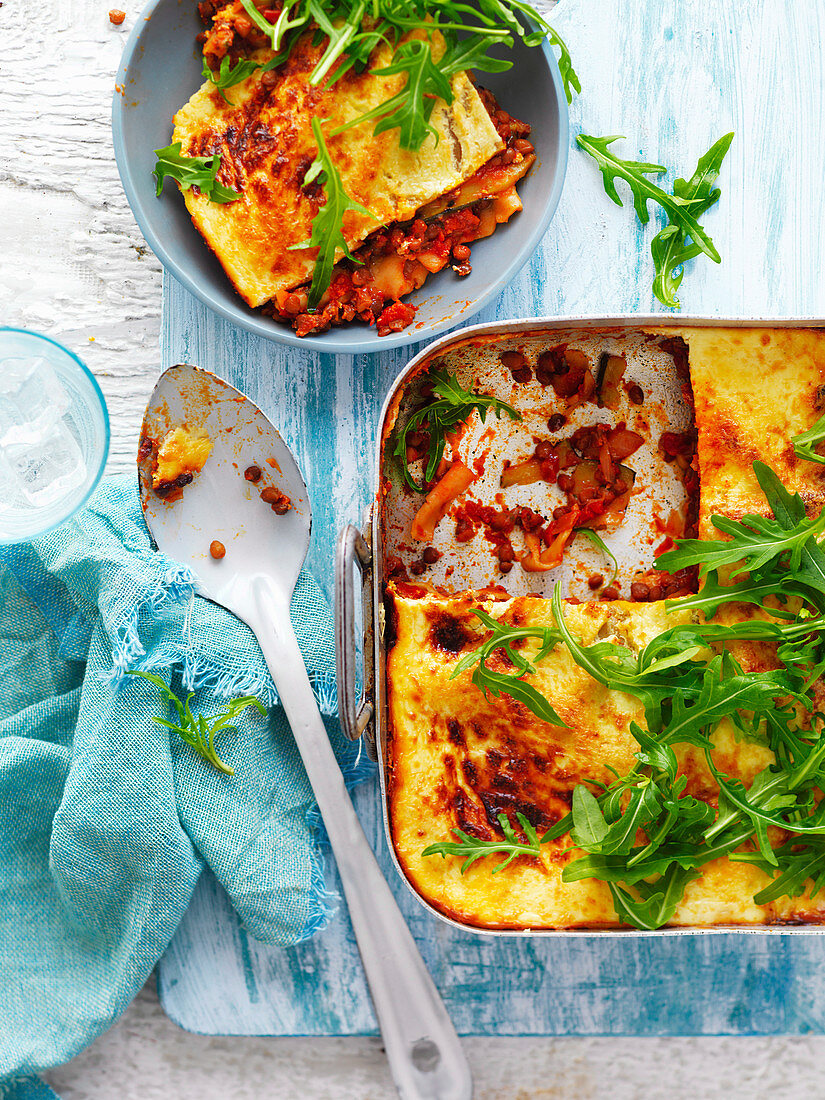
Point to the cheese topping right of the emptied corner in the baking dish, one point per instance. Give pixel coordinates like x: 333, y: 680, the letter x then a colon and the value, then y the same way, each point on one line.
x: 754, y: 389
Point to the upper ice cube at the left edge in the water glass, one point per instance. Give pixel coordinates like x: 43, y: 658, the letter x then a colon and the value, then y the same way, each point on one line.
x: 32, y: 400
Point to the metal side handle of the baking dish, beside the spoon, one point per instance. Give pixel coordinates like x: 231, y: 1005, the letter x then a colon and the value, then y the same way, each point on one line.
x: 357, y: 714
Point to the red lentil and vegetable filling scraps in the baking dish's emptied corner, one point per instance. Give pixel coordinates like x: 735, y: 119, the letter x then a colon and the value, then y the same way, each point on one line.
x: 586, y: 475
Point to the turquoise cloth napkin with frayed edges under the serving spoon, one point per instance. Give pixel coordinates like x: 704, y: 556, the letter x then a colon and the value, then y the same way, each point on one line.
x: 106, y: 818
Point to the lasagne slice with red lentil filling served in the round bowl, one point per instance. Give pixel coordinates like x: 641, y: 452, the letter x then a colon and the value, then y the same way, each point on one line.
x: 404, y: 208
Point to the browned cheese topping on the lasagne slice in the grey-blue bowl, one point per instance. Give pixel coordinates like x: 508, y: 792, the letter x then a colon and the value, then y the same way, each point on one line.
x: 267, y: 145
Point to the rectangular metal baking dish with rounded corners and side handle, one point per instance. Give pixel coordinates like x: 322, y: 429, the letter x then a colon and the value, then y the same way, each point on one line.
x: 365, y: 712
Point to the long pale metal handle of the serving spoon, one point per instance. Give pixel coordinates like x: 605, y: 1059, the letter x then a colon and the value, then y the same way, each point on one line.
x: 425, y: 1054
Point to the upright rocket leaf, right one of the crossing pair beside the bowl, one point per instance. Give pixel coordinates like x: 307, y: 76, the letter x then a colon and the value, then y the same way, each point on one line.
x: 670, y: 248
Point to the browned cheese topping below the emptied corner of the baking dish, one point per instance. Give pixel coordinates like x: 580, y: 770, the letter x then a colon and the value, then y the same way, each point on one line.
x: 458, y: 760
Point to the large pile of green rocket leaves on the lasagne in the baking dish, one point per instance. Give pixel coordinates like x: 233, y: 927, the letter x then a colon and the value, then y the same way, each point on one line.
x: 643, y: 834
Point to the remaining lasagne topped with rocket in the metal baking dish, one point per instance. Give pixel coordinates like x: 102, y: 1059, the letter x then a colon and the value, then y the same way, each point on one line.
x: 644, y: 757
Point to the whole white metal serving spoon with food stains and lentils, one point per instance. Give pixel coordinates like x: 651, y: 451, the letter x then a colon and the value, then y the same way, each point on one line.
x: 265, y: 554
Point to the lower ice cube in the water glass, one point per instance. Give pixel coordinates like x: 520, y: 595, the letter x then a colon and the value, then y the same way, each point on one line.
x: 48, y: 468
